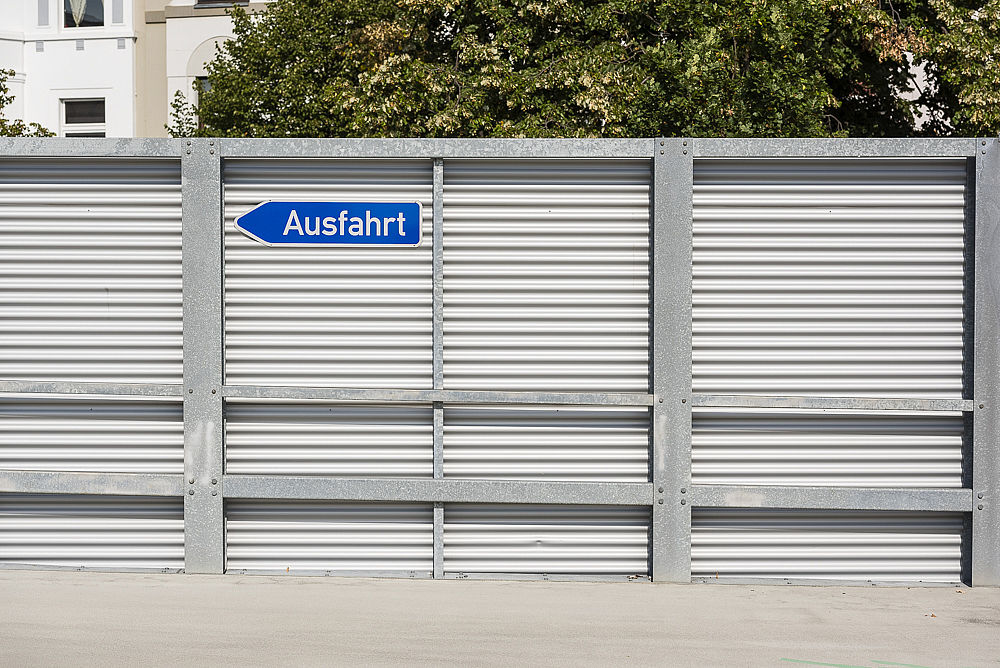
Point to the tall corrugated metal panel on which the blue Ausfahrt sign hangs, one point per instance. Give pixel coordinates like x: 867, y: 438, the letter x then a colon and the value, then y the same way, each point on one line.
x: 341, y: 317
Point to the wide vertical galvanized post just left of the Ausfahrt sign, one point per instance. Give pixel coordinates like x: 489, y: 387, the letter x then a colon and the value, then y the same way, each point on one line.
x: 201, y: 206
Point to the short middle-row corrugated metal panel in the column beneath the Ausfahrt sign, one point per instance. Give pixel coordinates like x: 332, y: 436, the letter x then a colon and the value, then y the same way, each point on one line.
x: 321, y: 438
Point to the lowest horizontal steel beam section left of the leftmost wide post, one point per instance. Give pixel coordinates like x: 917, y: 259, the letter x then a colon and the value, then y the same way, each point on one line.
x: 117, y: 484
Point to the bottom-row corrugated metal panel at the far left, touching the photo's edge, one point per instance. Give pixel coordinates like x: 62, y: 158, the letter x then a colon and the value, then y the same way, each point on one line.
x: 92, y: 531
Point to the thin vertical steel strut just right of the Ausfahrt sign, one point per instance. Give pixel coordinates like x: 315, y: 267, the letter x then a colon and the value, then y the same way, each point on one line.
x: 438, y: 343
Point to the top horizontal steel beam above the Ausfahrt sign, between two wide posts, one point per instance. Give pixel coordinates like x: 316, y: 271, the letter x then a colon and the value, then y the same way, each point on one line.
x: 437, y: 148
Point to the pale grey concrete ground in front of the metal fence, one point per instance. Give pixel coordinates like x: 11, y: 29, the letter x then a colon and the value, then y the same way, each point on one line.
x: 96, y: 619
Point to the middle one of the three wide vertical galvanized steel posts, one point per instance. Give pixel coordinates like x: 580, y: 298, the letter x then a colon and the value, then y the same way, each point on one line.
x: 671, y: 358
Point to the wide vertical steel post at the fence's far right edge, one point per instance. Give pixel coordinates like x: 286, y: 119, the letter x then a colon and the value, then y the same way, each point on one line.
x: 986, y: 421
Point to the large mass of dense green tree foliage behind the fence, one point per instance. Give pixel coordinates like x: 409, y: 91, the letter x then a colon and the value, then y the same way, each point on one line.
x: 586, y: 68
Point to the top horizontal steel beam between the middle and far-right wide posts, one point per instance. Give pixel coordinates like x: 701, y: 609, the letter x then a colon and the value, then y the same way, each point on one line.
x: 834, y: 148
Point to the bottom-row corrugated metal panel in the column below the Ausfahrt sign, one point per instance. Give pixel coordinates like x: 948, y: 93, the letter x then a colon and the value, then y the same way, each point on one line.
x: 329, y: 536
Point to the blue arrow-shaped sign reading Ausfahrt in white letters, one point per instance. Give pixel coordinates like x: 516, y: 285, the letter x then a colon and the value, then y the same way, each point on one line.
x: 333, y: 223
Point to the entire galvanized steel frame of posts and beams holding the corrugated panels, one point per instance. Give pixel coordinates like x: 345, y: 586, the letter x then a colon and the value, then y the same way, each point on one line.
x: 670, y: 494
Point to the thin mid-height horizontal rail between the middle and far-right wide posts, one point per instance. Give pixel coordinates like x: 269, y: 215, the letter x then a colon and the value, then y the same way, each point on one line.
x: 820, y: 403
